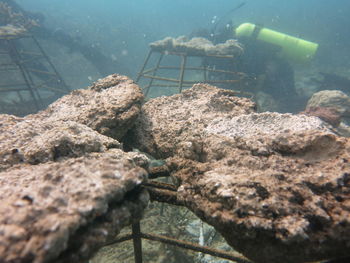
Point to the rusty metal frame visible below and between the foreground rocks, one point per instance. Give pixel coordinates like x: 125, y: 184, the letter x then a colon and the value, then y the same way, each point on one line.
x: 166, y: 193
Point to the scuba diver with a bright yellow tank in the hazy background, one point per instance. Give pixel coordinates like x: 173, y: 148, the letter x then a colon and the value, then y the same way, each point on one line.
x: 266, y: 60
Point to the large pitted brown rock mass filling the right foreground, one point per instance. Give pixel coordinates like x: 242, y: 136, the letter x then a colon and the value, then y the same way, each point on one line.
x: 276, y: 186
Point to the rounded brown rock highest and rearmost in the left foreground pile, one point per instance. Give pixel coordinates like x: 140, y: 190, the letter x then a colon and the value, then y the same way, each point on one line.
x: 110, y: 106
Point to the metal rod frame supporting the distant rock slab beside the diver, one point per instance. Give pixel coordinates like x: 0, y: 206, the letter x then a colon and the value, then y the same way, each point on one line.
x: 180, y: 82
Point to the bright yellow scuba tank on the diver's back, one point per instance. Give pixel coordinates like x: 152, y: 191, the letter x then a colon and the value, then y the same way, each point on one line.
x: 292, y: 48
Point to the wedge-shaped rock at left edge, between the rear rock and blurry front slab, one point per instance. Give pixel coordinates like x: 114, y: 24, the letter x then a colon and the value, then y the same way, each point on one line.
x: 36, y: 141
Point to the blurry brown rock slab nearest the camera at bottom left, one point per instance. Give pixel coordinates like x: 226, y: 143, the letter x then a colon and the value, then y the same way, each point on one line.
x: 64, y: 211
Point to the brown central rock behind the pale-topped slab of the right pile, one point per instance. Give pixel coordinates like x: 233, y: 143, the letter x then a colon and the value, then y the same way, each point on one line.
x: 167, y: 122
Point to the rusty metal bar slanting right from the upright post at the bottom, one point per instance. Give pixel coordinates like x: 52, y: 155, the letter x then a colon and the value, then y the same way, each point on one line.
x: 196, y: 247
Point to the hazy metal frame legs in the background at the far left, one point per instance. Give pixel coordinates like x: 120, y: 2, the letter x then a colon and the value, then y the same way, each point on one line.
x: 27, y: 73
